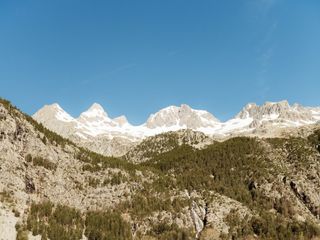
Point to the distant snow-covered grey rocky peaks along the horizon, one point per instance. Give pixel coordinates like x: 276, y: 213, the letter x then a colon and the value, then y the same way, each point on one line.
x: 95, y: 122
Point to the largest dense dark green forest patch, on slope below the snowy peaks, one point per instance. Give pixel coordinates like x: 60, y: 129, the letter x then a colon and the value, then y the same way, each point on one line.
x: 211, y: 168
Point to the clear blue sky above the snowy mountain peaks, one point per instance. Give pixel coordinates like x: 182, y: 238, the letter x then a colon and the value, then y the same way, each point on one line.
x: 135, y: 57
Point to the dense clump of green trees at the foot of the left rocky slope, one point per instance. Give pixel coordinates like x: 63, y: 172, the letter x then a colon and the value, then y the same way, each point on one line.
x: 65, y: 223
